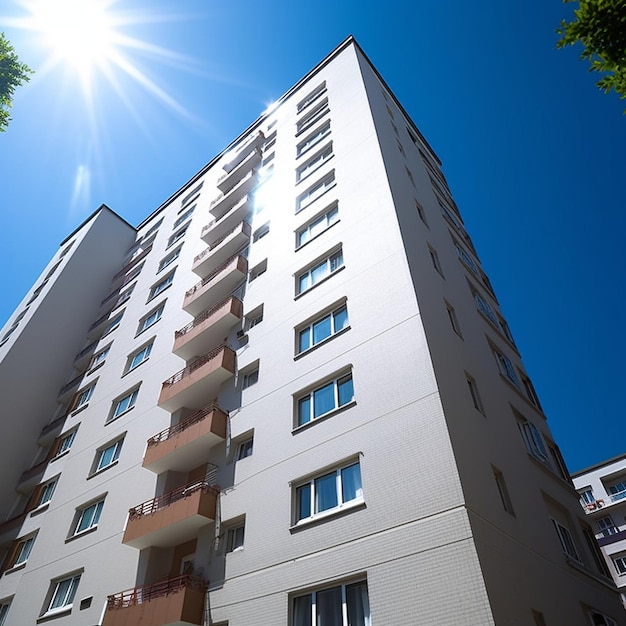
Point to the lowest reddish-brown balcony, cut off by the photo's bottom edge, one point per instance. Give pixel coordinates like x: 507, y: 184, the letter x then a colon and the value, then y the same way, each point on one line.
x: 176, y: 601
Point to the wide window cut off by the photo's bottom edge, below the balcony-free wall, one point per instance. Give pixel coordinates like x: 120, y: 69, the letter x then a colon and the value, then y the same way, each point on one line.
x: 346, y: 605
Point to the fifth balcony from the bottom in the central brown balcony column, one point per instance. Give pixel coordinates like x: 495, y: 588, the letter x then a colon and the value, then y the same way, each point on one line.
x: 207, y: 329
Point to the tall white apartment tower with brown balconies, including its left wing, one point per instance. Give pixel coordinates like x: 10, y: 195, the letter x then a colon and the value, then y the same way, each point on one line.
x: 288, y: 397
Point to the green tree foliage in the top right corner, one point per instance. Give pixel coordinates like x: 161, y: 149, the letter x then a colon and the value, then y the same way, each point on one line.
x: 600, y: 25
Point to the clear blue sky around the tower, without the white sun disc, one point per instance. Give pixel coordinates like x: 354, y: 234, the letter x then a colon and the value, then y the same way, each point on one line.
x: 533, y: 152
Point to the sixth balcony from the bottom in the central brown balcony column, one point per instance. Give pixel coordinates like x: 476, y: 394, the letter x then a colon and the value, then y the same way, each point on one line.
x: 220, y: 283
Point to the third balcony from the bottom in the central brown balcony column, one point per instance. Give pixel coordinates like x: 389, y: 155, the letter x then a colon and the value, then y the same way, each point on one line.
x: 184, y: 446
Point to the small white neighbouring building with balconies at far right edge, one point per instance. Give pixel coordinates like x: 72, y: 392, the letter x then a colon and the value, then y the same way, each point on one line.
x: 602, y: 490
